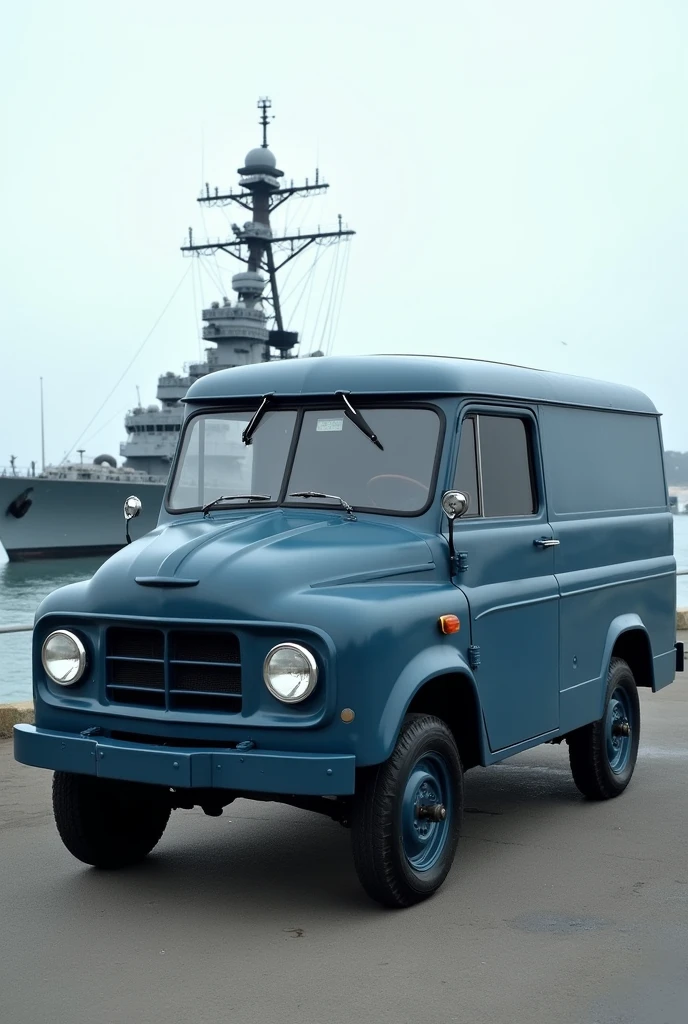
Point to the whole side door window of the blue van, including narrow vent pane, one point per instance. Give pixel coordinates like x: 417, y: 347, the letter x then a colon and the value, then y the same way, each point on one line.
x: 495, y: 466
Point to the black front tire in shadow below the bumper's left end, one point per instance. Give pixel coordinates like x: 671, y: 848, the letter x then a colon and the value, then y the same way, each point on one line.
x: 108, y: 824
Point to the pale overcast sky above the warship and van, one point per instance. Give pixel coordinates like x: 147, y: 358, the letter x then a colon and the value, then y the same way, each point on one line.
x: 517, y: 173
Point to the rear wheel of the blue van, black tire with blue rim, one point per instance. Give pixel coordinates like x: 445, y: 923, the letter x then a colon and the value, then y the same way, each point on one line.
x: 599, y: 771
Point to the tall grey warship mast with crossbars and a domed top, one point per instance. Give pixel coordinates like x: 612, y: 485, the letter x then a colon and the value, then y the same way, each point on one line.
x: 259, y: 249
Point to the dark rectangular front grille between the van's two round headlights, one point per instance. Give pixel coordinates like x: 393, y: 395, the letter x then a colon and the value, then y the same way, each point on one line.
x: 177, y: 670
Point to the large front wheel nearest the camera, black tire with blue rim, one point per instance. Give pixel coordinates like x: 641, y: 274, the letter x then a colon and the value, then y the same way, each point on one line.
x: 383, y: 818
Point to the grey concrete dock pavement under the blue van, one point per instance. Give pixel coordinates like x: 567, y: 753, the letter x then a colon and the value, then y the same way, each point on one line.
x: 557, y: 911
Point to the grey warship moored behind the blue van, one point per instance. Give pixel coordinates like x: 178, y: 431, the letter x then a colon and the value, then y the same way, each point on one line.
x: 74, y: 509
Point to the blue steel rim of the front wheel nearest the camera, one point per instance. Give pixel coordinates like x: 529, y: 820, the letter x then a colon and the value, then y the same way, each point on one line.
x: 428, y: 784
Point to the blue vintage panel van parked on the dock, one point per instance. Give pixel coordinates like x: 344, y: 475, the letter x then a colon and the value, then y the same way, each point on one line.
x: 370, y: 575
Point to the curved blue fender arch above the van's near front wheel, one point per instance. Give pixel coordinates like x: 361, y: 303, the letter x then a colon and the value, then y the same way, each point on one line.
x: 440, y: 660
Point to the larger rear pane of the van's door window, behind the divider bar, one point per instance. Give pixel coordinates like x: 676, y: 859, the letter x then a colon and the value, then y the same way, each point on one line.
x: 506, y: 466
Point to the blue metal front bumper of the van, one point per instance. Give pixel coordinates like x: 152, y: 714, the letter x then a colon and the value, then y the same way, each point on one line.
x: 184, y: 769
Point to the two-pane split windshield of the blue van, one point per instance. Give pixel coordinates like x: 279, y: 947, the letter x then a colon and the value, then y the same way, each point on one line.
x: 333, y: 455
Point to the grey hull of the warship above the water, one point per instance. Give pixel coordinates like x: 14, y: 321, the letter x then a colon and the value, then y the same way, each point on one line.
x: 71, y: 519
